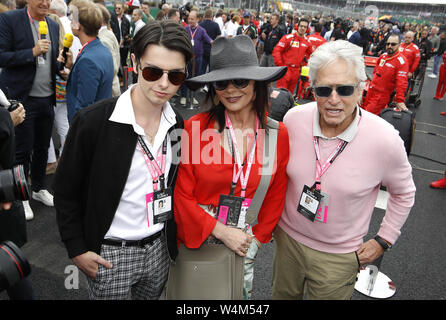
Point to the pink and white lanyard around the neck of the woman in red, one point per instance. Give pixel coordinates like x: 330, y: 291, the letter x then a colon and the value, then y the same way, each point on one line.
x: 238, y: 174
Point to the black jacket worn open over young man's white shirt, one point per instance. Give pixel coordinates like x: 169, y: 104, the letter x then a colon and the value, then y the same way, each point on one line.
x: 91, y: 177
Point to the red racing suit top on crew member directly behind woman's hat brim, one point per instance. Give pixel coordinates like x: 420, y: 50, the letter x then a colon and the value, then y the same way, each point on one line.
x: 291, y: 50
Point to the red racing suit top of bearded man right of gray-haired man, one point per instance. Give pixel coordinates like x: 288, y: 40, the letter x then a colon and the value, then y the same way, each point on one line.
x: 390, y: 74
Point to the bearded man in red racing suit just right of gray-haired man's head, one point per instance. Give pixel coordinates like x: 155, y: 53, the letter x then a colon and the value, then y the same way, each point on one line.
x: 390, y: 74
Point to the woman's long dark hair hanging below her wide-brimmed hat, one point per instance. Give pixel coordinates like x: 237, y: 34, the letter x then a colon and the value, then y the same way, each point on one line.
x: 261, y: 105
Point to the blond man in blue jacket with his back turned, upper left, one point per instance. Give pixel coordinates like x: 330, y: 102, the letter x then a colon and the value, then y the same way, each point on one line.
x: 91, y: 77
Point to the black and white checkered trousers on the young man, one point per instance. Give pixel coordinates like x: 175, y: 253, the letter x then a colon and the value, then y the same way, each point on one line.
x: 138, y: 273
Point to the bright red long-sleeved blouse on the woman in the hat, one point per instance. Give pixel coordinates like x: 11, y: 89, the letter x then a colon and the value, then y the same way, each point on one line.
x: 202, y: 181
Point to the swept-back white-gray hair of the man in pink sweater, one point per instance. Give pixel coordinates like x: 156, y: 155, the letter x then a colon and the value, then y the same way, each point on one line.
x: 334, y: 50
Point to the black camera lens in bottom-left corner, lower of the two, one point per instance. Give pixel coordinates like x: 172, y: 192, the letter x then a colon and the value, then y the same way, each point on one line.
x: 13, y: 265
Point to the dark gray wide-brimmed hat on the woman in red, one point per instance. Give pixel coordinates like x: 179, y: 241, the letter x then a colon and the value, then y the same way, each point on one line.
x: 235, y: 58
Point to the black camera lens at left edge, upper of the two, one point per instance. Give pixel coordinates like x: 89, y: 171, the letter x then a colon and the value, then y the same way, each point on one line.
x: 13, y: 185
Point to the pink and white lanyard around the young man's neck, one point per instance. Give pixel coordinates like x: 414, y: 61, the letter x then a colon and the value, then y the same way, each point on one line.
x: 155, y: 171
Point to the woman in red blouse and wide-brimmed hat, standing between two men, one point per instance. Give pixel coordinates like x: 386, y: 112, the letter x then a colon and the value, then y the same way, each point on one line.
x: 222, y: 160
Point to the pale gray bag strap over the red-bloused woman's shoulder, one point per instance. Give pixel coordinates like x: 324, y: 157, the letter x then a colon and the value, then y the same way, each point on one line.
x: 269, y: 154
